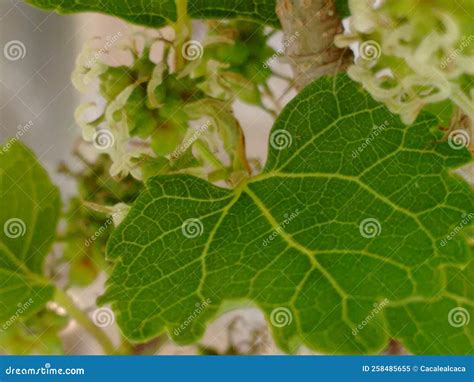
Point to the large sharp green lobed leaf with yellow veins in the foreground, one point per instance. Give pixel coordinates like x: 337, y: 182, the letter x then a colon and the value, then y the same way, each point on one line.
x: 342, y: 252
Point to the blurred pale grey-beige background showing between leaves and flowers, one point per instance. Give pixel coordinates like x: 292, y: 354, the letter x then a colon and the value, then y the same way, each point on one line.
x: 38, y: 98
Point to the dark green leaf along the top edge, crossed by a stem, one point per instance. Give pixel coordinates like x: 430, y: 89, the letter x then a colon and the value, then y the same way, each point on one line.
x: 156, y: 13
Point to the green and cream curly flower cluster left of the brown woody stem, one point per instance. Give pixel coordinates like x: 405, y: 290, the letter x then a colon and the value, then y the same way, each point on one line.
x: 142, y: 110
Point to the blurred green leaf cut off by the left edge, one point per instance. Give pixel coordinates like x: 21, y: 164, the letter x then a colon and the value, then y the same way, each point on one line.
x: 29, y: 210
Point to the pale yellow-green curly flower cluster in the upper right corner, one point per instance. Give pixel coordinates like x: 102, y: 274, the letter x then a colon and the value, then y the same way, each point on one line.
x: 412, y: 54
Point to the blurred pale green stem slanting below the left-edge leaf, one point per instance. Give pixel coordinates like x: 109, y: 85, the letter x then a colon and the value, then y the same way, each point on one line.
x: 81, y: 318
